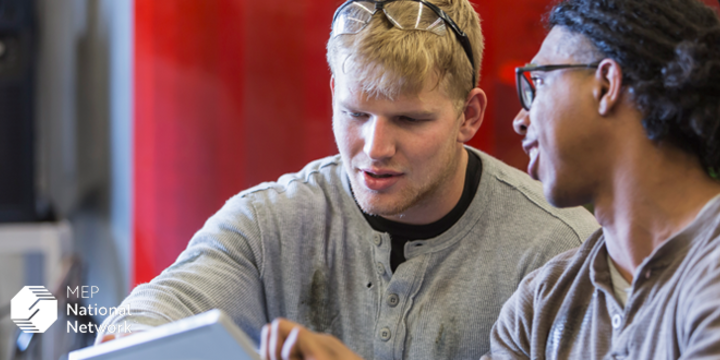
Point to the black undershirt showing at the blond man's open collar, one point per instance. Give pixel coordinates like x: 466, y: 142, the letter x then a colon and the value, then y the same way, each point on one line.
x: 402, y: 233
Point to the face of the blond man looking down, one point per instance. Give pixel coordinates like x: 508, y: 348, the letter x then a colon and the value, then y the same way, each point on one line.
x: 399, y: 154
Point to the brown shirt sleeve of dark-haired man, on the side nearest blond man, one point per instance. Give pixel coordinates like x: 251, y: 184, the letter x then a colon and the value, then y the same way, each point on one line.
x: 511, y: 334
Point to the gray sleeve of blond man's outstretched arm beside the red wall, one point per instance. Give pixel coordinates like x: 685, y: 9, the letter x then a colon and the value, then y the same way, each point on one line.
x: 222, y: 268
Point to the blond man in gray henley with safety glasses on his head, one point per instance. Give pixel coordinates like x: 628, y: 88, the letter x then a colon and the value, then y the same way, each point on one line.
x: 406, y: 244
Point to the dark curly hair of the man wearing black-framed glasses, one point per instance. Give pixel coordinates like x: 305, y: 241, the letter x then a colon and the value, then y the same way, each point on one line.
x: 669, y: 51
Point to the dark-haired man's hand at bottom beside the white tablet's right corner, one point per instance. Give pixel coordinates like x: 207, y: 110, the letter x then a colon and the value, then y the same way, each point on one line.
x: 286, y: 340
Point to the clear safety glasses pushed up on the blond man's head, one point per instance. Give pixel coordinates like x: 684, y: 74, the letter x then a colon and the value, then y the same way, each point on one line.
x: 352, y: 16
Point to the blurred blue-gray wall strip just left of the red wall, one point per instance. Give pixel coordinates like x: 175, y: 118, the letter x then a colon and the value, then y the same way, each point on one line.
x: 84, y: 130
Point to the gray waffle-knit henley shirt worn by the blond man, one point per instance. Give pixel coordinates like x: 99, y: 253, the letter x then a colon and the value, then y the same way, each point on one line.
x: 300, y: 248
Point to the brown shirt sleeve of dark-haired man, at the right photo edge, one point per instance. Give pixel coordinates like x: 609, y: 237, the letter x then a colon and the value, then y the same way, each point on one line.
x: 702, y: 325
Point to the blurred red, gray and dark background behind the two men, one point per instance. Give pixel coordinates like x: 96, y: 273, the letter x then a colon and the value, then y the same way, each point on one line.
x: 125, y: 124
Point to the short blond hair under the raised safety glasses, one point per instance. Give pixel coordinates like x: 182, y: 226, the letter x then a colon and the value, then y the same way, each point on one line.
x: 387, y: 61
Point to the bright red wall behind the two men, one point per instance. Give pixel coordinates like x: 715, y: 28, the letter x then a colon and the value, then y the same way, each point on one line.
x: 229, y: 93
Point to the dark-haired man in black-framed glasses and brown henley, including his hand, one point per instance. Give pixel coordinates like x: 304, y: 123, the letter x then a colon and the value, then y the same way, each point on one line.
x: 621, y: 109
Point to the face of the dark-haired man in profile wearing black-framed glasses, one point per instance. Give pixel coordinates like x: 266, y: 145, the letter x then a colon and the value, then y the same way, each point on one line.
x: 563, y: 132
